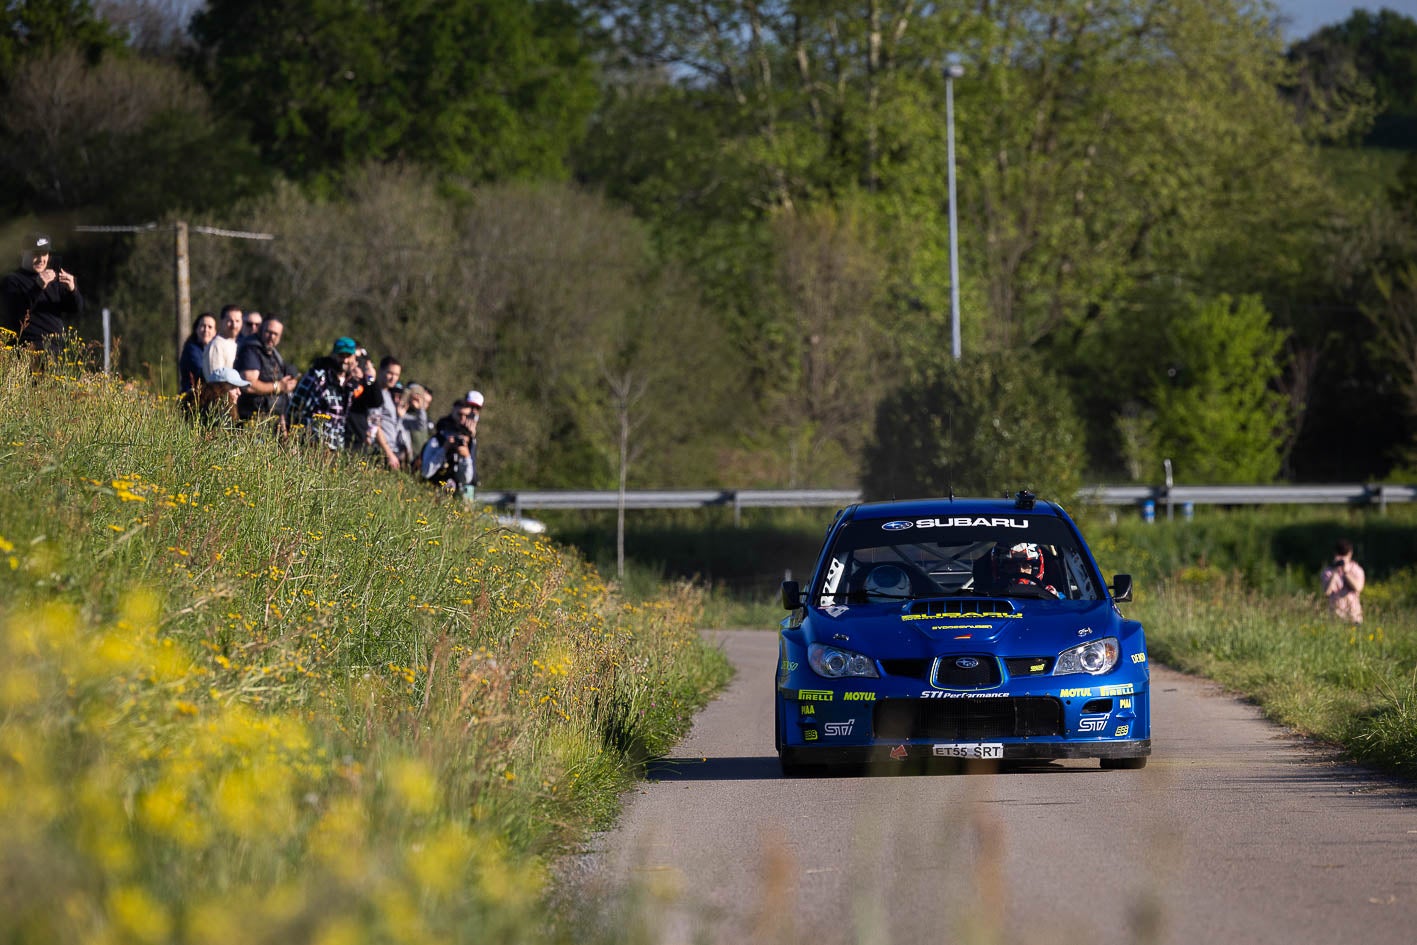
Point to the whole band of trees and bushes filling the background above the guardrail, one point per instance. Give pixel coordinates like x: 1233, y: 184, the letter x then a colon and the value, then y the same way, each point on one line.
x: 708, y: 243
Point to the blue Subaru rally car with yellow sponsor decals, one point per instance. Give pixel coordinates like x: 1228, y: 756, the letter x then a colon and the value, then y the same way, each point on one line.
x: 960, y: 628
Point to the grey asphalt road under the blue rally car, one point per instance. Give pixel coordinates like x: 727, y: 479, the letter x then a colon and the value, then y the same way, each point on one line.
x: 1235, y: 832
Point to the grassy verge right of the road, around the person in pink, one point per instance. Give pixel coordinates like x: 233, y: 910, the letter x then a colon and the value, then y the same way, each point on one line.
x: 1233, y: 596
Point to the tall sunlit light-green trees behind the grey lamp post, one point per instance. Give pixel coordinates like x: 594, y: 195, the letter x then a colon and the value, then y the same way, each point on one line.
x: 1110, y: 154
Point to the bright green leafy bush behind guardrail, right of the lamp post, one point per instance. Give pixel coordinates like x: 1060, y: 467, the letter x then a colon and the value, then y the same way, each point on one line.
x: 1219, y: 417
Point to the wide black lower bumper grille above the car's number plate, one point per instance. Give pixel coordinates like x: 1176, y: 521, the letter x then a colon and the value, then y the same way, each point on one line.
x: 969, y: 719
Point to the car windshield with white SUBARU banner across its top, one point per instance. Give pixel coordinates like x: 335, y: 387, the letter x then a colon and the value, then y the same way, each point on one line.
x: 1015, y: 556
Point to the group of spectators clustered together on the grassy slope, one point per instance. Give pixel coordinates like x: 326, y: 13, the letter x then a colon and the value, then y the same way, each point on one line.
x: 232, y: 373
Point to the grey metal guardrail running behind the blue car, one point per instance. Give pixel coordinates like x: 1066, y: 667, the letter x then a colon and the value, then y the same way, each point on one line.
x: 1164, y: 498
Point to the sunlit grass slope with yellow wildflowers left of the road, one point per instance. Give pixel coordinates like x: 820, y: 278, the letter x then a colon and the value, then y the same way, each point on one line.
x: 249, y: 698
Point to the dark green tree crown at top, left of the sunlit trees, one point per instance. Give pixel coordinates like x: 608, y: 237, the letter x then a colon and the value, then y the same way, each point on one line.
x: 480, y: 90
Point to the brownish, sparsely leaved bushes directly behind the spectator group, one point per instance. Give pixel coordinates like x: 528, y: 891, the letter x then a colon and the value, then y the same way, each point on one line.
x: 539, y: 295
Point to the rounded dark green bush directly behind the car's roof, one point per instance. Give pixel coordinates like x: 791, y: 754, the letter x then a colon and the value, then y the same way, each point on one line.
x: 981, y: 426
